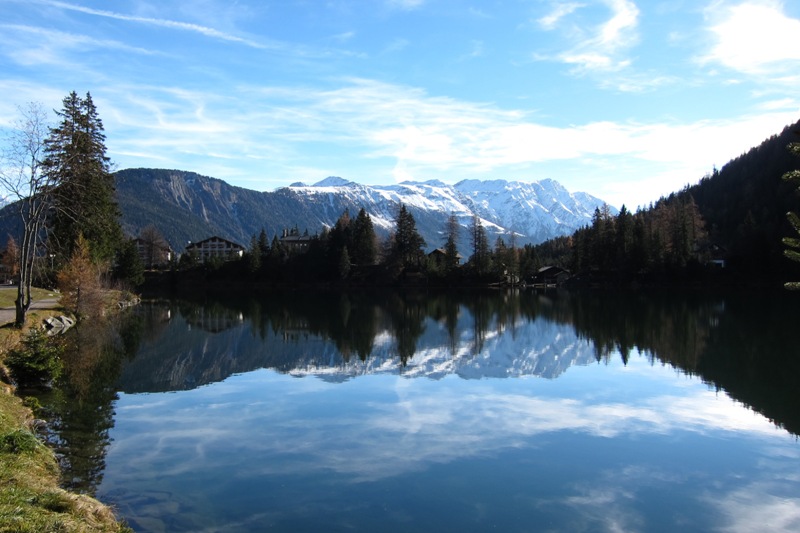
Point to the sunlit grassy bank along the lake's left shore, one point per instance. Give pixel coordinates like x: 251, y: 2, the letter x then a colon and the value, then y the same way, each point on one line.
x: 30, y: 497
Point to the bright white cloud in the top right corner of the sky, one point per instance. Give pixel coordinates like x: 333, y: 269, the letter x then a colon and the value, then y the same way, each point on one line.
x: 754, y: 37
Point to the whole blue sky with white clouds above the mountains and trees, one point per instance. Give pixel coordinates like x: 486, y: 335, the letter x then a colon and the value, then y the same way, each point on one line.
x: 624, y: 99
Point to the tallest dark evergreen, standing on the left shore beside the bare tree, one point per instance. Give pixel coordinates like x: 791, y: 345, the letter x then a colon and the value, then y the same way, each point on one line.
x: 76, y: 161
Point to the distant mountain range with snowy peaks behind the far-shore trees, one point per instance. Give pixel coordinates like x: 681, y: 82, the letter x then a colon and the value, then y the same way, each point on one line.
x: 185, y: 206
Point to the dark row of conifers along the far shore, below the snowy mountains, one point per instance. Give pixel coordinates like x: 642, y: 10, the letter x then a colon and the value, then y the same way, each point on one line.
x: 350, y: 253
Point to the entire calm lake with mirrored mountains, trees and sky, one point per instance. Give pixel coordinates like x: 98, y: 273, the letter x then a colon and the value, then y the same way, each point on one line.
x: 469, y: 411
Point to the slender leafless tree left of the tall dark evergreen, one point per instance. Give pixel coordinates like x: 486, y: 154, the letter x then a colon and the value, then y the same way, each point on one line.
x: 30, y: 189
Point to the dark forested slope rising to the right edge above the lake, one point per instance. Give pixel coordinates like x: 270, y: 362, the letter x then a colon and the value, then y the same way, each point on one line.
x: 728, y: 227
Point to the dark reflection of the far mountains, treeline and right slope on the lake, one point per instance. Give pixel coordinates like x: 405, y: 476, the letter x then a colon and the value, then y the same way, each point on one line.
x: 740, y: 343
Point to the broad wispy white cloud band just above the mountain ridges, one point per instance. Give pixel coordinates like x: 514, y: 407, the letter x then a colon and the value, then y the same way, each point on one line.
x: 402, y: 130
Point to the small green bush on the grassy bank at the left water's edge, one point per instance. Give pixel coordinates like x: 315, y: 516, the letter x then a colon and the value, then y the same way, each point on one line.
x: 37, y: 361
